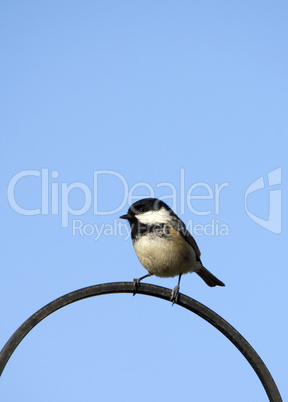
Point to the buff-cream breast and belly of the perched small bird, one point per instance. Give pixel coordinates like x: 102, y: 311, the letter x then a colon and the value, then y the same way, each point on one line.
x: 164, y: 257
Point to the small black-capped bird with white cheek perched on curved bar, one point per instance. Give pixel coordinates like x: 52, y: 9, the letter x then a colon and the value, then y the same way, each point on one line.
x: 163, y: 244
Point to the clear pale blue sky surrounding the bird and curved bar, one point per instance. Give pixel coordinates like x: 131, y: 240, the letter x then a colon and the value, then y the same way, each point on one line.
x: 171, y: 98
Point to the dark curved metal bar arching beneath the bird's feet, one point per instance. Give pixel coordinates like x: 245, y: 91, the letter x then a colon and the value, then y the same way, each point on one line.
x: 152, y: 290
